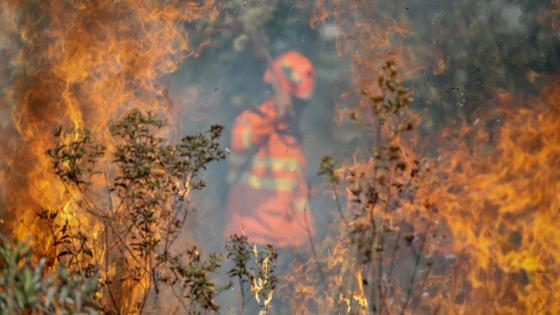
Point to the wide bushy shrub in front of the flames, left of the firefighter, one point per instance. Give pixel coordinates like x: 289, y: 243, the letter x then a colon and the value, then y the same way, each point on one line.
x: 138, y: 215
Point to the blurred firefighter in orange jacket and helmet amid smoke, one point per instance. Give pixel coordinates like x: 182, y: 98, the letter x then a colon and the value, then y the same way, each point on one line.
x: 267, y: 199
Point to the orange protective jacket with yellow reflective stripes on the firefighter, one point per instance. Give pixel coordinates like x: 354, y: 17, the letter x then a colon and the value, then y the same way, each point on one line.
x: 268, y: 194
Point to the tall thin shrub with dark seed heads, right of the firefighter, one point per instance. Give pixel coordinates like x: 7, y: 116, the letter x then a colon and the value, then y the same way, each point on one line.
x: 377, y: 259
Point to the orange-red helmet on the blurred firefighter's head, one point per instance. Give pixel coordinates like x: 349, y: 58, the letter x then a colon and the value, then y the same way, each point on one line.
x: 294, y: 73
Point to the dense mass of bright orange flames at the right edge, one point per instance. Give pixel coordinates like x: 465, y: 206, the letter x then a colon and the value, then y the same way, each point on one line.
x: 498, y: 193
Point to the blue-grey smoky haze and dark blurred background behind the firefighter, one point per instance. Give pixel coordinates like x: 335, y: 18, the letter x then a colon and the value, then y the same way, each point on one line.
x: 458, y: 55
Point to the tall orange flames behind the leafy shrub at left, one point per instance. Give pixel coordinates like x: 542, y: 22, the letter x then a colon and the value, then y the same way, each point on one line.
x: 80, y: 64
